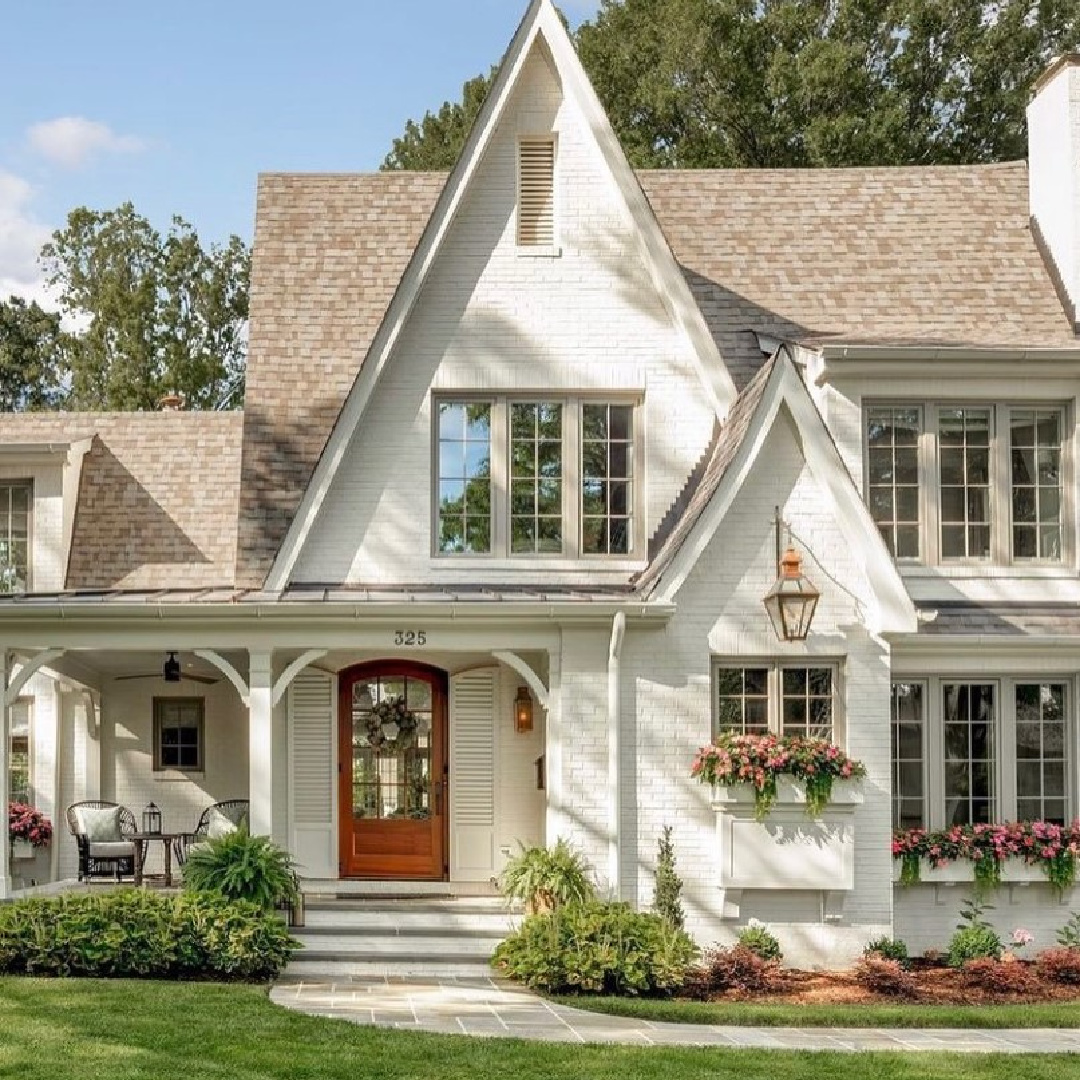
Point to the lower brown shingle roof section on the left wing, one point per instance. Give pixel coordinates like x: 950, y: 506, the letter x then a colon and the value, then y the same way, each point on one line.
x: 158, y: 495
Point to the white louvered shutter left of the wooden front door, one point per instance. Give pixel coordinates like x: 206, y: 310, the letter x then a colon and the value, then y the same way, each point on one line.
x: 312, y: 728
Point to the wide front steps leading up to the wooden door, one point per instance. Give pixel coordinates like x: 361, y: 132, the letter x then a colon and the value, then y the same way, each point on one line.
x: 395, y: 933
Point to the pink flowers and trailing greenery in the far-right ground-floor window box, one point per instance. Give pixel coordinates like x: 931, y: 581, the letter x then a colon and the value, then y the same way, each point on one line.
x: 1038, y: 843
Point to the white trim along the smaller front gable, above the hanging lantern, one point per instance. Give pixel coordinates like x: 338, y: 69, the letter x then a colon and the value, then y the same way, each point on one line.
x: 894, y: 612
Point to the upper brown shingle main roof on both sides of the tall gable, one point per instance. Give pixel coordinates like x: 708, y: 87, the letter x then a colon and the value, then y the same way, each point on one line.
x: 923, y: 255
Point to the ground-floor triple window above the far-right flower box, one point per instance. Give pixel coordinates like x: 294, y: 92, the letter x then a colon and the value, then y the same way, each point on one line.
x: 975, y: 750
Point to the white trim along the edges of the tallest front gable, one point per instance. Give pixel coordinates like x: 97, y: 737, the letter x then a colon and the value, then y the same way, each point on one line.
x: 542, y: 20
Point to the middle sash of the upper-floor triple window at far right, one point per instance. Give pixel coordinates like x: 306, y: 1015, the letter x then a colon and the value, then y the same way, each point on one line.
x: 964, y: 455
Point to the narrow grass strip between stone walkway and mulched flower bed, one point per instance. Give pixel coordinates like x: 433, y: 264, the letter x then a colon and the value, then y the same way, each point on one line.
x: 784, y: 1015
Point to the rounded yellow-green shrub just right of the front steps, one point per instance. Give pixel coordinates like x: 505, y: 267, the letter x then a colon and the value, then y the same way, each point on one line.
x: 597, y: 948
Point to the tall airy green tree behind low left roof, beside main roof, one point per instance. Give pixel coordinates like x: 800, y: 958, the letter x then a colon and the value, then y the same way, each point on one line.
x: 160, y: 314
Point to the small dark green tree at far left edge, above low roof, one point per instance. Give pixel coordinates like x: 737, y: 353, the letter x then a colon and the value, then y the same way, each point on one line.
x: 32, y: 357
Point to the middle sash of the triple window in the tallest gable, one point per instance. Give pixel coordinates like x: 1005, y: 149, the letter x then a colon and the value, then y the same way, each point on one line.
x: 536, y: 478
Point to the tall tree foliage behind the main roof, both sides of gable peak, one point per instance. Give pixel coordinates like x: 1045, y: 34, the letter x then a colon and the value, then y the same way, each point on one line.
x: 790, y: 84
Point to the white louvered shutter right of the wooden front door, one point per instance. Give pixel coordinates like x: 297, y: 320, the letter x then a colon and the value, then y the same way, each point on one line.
x: 474, y: 697
